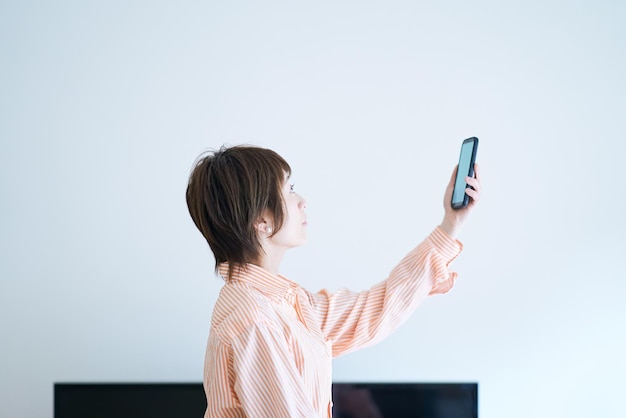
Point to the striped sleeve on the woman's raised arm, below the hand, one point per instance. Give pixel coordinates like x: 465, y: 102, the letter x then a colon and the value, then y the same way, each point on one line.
x: 354, y: 320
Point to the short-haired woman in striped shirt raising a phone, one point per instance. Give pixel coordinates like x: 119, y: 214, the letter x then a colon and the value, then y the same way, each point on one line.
x: 271, y: 342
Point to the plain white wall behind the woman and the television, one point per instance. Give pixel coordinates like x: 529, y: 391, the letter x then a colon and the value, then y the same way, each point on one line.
x: 105, y: 106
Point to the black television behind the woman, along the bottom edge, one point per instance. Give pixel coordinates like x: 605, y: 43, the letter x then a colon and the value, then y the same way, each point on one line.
x: 187, y: 400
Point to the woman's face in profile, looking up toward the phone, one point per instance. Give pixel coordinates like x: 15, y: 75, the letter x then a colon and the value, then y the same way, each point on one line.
x: 293, y: 233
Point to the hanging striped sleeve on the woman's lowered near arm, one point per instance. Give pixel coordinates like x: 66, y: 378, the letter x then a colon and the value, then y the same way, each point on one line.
x: 267, y: 381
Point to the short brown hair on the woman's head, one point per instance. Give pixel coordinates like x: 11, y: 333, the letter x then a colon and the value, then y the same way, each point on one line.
x: 228, y: 192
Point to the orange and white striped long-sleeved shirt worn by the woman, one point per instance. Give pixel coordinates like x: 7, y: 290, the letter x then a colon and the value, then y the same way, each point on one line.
x: 271, y: 341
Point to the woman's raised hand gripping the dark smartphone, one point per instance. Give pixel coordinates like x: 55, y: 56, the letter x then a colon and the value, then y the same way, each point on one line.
x: 453, y: 219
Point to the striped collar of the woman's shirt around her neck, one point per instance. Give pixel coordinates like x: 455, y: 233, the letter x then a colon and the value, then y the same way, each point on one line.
x: 275, y: 286
